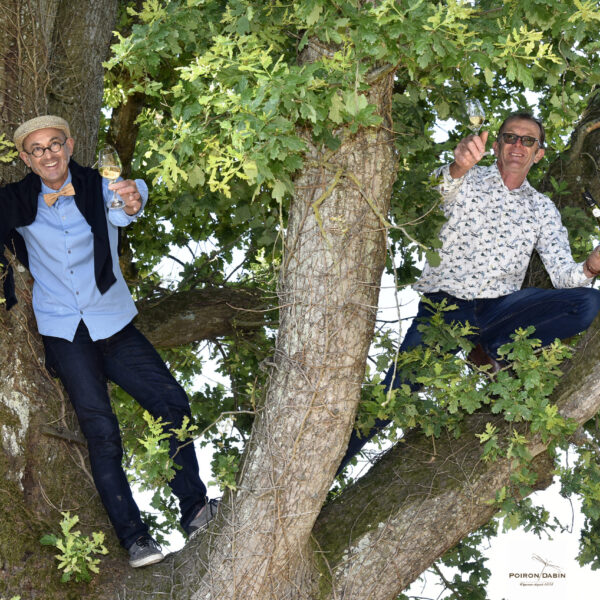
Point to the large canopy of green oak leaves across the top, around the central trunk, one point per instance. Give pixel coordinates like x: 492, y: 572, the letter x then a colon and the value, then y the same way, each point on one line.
x: 230, y: 109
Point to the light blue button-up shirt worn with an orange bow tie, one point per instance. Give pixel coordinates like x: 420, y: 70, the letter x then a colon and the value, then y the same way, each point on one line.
x: 61, y: 260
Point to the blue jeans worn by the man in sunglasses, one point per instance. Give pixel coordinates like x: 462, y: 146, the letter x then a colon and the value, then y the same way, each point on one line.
x: 553, y: 313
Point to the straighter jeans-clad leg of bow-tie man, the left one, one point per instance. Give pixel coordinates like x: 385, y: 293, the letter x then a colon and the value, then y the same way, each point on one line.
x: 79, y: 366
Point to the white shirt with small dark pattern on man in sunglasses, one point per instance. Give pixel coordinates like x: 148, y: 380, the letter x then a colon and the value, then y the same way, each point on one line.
x: 490, y: 234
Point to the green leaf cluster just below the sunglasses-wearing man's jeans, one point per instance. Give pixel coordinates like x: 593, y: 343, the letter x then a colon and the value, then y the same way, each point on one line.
x: 449, y: 388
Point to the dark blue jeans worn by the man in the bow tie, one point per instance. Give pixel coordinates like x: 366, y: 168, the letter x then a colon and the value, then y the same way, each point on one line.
x: 128, y: 359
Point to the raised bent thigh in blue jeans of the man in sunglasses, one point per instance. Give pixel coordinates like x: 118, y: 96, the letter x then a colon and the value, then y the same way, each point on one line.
x: 554, y: 314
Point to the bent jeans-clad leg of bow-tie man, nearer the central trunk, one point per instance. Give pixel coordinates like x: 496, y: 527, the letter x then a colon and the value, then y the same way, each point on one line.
x: 133, y: 363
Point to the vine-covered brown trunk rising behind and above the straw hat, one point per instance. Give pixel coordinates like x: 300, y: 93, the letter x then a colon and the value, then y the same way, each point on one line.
x: 51, y: 63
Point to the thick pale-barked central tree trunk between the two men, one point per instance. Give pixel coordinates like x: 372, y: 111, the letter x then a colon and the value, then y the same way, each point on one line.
x: 334, y: 255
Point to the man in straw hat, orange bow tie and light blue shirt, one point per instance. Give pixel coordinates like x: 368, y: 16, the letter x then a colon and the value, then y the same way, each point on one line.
x: 57, y: 221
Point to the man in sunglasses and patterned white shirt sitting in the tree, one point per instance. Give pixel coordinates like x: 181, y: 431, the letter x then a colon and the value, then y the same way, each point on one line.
x: 495, y: 220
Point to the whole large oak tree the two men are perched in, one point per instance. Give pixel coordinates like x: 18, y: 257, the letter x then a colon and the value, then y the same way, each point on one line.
x: 289, y: 148
